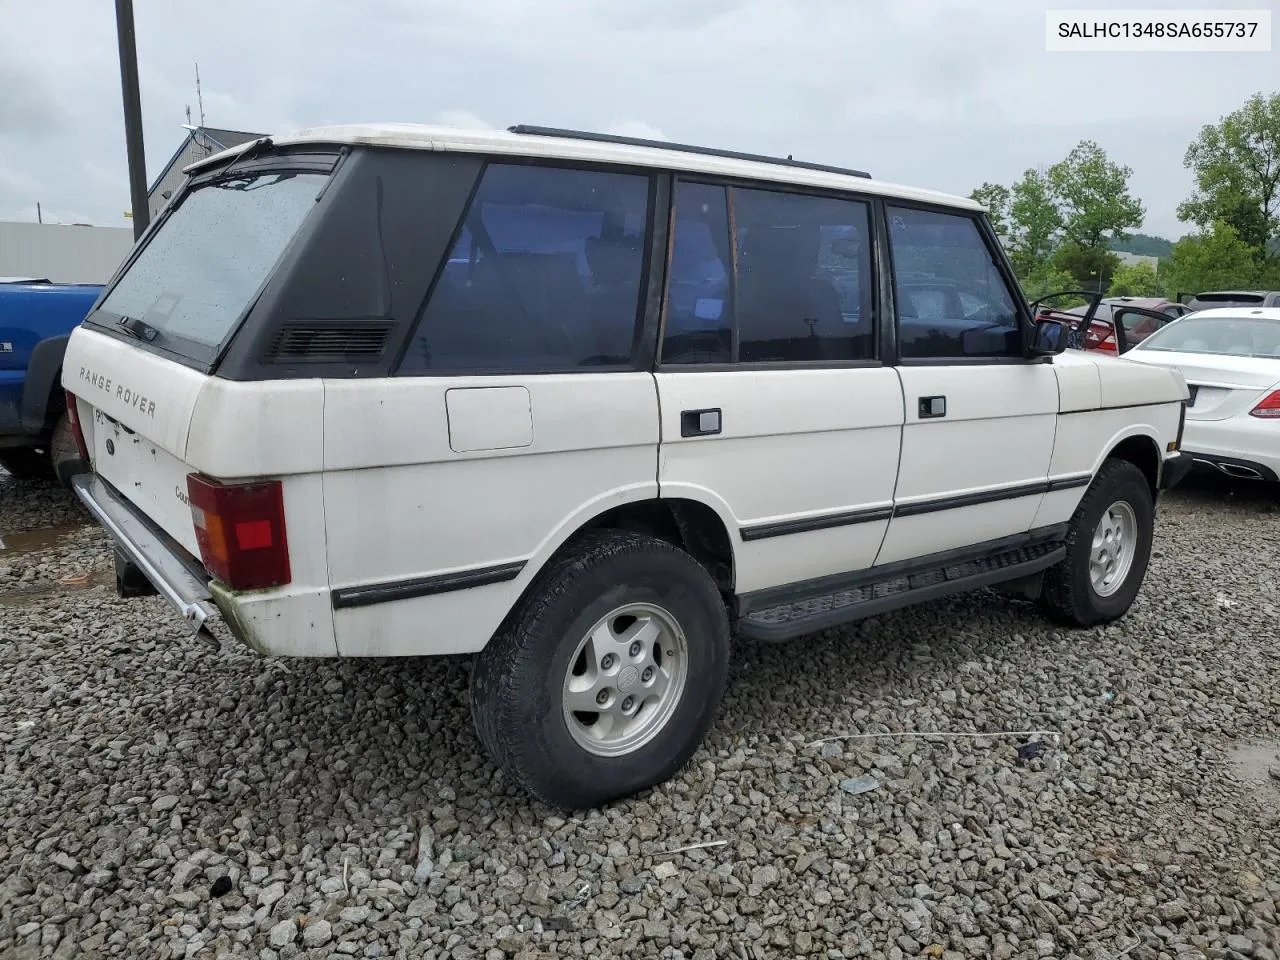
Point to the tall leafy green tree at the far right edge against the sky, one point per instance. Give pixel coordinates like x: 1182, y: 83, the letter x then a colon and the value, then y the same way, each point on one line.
x: 1237, y: 167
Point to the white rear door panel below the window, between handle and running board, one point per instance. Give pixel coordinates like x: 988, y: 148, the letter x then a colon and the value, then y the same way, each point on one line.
x: 797, y: 449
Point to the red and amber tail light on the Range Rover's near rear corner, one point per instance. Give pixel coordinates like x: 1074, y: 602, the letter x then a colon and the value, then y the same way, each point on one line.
x: 240, y: 529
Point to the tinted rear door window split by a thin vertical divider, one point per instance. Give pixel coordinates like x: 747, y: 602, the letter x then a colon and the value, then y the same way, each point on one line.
x: 769, y: 277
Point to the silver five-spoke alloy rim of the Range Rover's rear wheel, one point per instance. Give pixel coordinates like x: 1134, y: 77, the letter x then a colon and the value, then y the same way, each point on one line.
x: 625, y: 680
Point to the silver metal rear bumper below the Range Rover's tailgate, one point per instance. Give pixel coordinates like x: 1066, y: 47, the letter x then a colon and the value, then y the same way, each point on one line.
x: 179, y: 579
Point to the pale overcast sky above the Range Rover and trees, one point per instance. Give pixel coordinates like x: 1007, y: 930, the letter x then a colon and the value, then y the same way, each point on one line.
x: 930, y: 93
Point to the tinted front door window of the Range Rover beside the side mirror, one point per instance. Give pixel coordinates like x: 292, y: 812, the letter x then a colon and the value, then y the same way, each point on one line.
x: 952, y: 298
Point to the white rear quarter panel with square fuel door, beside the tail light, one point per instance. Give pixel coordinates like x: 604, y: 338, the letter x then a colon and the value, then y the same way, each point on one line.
x: 404, y: 504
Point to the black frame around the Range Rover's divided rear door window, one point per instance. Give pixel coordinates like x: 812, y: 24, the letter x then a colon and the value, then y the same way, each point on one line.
x: 877, y: 271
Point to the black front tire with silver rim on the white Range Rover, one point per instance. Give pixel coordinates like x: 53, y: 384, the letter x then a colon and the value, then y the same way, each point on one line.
x: 1072, y: 595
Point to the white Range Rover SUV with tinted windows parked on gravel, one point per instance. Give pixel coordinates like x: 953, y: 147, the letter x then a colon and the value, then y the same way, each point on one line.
x: 586, y: 408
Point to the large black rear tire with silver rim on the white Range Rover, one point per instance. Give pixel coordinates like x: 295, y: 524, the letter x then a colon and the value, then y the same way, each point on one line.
x: 523, y: 679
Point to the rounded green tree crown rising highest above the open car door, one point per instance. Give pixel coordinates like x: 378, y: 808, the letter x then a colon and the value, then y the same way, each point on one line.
x: 1092, y: 194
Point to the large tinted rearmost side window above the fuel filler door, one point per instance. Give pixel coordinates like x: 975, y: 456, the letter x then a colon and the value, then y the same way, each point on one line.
x: 546, y: 276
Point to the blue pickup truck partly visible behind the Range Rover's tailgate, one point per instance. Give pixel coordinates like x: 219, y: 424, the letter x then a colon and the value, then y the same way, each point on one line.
x: 36, y: 318
